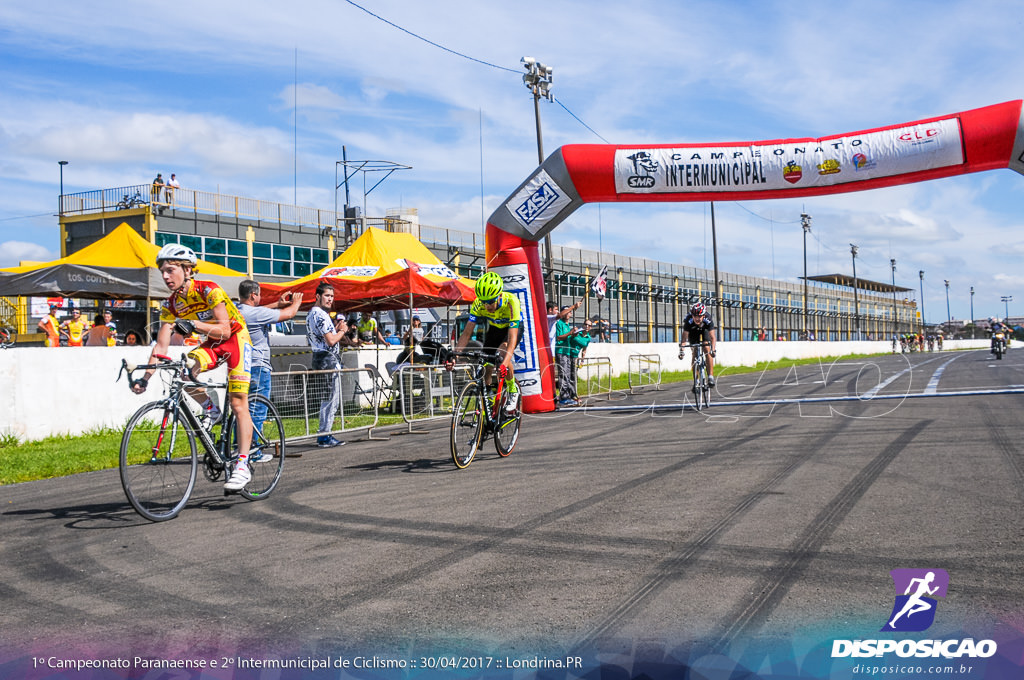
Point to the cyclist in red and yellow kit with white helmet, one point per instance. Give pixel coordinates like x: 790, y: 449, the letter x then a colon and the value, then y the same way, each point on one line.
x: 204, y: 307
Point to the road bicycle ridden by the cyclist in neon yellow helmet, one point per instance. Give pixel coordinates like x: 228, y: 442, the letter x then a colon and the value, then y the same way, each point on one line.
x: 480, y: 414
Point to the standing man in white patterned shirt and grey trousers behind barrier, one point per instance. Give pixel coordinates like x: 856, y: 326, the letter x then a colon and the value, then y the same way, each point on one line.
x: 326, y: 337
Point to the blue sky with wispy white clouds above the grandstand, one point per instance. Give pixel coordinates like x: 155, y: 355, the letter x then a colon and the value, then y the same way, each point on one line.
x: 207, y: 91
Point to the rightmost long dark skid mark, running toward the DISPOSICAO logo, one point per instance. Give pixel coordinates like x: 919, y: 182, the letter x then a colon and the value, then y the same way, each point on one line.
x: 772, y: 591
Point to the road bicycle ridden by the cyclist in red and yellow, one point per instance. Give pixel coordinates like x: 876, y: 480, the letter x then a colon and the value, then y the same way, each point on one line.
x: 159, y: 457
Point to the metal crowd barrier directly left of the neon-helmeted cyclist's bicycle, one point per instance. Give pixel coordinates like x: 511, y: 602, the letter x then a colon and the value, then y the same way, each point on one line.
x: 429, y: 392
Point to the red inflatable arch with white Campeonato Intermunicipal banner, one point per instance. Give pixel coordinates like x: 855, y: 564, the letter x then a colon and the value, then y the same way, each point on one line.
x: 986, y: 139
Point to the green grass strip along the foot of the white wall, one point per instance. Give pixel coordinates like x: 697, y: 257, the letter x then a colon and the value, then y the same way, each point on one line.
x: 99, y: 450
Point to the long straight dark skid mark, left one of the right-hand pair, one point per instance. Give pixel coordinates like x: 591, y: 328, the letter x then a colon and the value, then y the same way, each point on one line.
x: 673, y: 568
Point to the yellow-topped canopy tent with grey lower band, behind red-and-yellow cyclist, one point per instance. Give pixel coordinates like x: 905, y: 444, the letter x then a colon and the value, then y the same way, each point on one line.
x: 121, y: 266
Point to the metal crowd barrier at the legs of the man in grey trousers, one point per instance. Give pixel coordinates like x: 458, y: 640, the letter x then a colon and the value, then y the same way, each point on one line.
x: 301, y: 396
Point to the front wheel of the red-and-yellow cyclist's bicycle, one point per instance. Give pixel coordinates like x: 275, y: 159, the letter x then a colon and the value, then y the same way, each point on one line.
x: 158, y: 462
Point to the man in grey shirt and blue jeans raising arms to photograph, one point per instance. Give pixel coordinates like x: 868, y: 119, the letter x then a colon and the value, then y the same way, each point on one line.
x: 260, y: 320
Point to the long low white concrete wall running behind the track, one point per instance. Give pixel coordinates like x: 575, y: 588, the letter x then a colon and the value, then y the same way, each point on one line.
x: 71, y: 391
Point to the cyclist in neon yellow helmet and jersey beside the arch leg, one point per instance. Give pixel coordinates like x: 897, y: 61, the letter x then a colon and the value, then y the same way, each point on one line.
x: 501, y: 312
